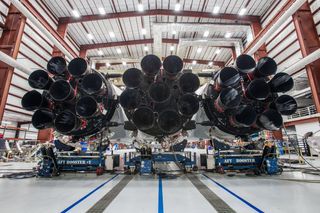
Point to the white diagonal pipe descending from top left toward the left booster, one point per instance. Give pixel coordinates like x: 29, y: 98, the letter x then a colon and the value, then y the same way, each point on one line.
x: 38, y: 24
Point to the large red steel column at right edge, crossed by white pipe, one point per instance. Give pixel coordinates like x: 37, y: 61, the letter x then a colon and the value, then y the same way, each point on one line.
x: 309, y: 43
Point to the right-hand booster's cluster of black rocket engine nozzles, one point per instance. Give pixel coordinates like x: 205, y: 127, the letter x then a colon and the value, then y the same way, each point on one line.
x: 243, y: 100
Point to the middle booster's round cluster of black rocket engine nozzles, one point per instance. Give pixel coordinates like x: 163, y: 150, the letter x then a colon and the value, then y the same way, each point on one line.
x: 158, y: 101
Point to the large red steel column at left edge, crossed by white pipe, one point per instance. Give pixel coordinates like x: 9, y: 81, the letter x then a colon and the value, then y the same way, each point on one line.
x: 10, y: 44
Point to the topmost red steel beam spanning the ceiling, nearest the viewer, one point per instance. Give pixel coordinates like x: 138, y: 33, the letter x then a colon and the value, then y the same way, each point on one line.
x: 157, y: 12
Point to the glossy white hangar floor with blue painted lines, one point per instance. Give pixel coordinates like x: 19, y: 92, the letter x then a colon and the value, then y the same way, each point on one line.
x: 77, y: 193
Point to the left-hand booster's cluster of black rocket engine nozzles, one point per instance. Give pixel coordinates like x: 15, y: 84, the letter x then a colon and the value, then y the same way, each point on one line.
x: 73, y: 99
